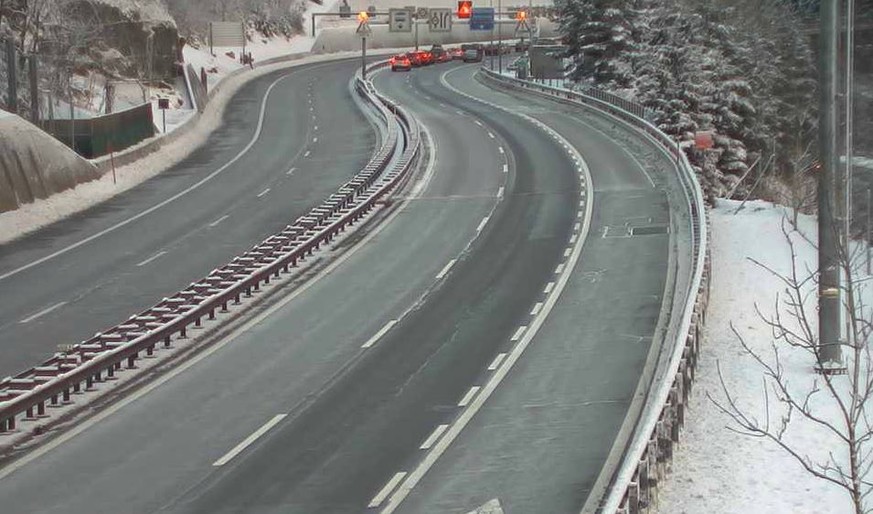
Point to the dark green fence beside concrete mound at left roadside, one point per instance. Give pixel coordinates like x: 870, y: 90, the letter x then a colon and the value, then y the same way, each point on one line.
x: 96, y: 137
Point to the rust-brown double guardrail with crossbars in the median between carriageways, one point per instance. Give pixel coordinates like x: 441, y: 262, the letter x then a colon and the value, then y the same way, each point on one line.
x: 24, y: 397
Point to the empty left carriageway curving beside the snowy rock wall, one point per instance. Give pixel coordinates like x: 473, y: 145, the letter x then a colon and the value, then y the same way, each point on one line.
x: 76, y: 277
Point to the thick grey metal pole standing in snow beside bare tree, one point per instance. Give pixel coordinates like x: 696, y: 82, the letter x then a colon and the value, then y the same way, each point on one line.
x: 829, y: 272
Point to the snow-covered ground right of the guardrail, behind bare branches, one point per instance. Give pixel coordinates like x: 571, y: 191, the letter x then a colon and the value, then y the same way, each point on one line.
x: 718, y: 471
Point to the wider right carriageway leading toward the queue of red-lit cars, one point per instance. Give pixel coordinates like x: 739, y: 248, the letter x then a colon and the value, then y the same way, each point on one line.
x: 333, y: 399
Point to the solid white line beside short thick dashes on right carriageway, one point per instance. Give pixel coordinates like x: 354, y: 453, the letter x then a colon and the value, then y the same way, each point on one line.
x: 467, y: 415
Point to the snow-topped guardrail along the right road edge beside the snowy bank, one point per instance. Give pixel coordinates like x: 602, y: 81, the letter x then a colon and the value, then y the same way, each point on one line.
x: 650, y: 445
